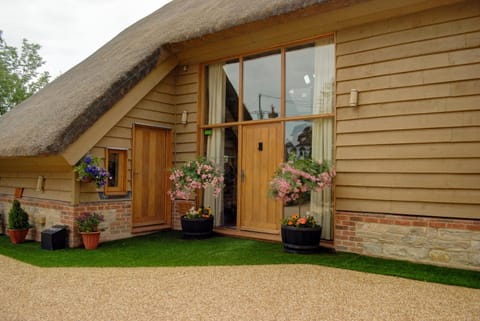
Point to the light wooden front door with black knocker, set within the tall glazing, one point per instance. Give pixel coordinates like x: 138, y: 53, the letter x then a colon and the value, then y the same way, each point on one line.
x: 262, y: 152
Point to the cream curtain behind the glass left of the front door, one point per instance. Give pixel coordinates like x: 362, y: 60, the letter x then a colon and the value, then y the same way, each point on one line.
x: 215, y: 142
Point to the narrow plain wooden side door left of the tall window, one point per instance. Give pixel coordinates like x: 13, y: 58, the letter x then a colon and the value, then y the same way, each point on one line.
x: 152, y: 159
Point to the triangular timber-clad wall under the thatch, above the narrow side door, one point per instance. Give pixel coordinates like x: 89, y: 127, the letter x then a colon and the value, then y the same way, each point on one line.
x: 157, y: 108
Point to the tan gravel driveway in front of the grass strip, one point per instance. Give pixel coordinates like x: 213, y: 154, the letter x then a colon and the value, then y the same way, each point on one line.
x: 273, y: 292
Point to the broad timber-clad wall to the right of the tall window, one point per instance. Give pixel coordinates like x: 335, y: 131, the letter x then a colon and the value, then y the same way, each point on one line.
x: 412, y: 146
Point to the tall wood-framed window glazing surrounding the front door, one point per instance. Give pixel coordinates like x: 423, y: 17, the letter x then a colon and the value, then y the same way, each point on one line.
x: 293, y: 86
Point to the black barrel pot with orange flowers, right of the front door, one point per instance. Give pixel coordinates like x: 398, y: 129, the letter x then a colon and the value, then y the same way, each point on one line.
x: 303, y: 240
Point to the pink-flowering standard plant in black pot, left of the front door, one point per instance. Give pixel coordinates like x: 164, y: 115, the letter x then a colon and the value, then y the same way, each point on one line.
x: 190, y: 179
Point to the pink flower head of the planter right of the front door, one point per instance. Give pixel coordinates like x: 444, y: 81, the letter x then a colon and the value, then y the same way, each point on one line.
x: 297, y: 178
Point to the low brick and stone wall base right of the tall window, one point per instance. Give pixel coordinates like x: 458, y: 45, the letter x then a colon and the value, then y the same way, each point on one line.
x: 440, y: 241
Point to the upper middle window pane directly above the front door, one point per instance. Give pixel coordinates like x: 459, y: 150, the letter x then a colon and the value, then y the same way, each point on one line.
x: 262, y: 86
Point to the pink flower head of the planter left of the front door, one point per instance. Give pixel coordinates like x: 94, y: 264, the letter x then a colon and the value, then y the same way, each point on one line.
x: 195, y: 175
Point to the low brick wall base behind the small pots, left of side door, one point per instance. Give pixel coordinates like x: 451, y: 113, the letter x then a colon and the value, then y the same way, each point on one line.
x: 117, y: 215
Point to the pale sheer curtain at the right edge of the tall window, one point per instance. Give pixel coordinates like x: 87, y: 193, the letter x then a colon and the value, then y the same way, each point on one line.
x: 321, y: 204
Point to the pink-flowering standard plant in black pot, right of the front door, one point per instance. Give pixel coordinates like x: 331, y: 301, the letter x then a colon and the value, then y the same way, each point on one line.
x: 293, y: 183
